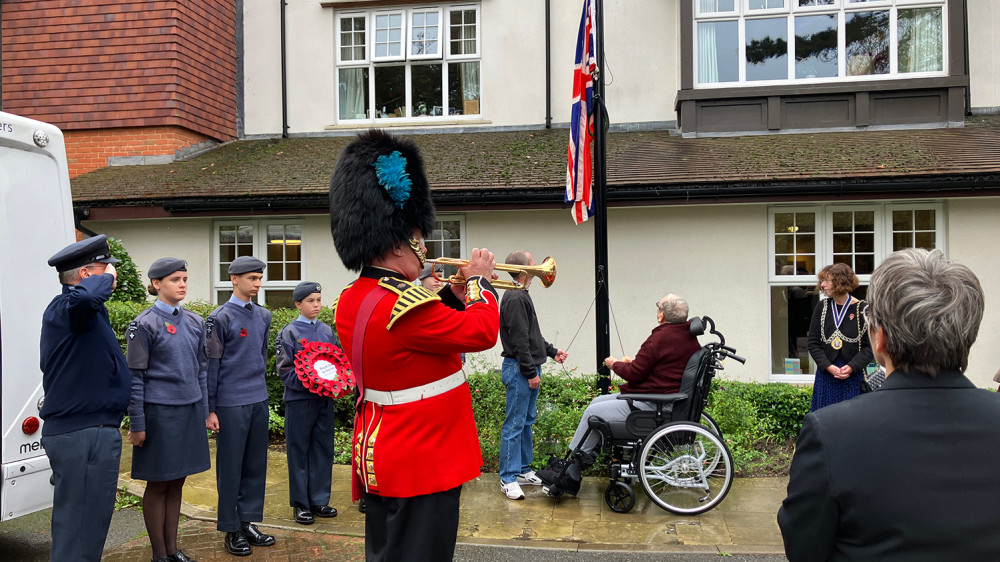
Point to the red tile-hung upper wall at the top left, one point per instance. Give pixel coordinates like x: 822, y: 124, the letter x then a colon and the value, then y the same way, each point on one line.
x: 112, y: 64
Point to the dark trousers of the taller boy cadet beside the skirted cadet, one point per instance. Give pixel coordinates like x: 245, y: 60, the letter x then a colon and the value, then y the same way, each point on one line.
x: 241, y: 464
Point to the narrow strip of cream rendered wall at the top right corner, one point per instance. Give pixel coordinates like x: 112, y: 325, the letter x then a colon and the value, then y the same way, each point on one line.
x: 984, y: 61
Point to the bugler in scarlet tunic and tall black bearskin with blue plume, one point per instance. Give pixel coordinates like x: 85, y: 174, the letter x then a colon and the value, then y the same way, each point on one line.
x: 403, y: 343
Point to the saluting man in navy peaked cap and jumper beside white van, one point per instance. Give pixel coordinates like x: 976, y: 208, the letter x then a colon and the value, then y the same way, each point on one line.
x: 86, y: 384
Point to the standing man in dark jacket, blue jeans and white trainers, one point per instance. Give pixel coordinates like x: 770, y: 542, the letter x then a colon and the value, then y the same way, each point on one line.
x: 524, y: 353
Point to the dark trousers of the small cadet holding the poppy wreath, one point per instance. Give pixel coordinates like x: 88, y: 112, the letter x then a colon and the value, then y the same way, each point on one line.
x: 309, y: 448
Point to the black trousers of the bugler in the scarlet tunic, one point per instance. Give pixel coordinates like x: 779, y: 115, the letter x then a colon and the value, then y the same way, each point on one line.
x: 418, y: 528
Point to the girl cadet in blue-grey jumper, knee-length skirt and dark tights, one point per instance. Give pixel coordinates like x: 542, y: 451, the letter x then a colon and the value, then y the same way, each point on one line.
x: 169, y: 406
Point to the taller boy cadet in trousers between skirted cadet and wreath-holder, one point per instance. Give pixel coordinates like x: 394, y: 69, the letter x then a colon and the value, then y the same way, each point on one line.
x: 237, y: 335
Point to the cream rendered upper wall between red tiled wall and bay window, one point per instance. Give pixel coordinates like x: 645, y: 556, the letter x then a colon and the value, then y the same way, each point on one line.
x: 642, y: 51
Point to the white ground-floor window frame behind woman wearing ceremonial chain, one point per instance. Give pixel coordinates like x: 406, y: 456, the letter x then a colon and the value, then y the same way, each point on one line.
x: 824, y: 251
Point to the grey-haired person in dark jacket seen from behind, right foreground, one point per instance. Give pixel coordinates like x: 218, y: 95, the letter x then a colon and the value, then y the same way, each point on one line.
x: 907, y: 472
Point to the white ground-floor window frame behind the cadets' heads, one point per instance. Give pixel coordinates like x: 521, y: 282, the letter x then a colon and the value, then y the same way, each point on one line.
x: 260, y: 243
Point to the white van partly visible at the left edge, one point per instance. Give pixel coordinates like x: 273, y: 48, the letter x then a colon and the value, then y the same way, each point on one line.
x: 36, y: 221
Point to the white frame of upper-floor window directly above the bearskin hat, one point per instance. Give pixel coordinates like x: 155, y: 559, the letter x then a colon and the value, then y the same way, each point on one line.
x: 408, y: 61
